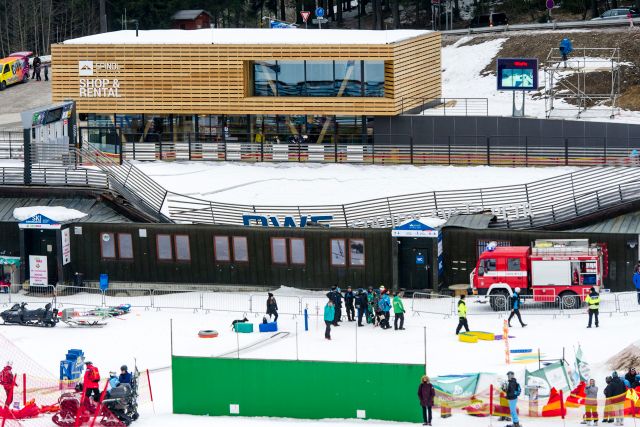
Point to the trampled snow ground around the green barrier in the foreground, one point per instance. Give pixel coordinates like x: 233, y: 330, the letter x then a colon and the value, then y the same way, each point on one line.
x: 145, y: 335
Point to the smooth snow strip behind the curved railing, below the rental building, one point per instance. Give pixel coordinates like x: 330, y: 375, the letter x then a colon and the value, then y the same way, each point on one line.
x: 309, y: 184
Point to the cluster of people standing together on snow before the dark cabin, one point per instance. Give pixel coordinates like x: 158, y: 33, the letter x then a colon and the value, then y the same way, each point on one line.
x: 372, y: 306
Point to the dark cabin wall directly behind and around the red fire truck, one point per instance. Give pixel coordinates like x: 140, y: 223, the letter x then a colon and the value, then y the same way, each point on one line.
x: 460, y: 251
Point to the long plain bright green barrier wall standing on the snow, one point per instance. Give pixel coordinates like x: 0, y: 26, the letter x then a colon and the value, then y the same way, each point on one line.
x: 296, y: 389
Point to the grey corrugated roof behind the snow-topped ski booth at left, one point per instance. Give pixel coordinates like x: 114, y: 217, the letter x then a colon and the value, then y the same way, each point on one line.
x: 96, y: 211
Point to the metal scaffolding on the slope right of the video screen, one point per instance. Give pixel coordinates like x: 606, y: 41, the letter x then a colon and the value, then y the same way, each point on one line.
x: 561, y: 83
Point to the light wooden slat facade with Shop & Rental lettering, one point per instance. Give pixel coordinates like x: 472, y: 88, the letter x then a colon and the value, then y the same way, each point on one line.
x: 215, y: 79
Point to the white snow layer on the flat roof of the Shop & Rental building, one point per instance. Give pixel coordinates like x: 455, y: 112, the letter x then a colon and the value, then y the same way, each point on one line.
x: 251, y: 36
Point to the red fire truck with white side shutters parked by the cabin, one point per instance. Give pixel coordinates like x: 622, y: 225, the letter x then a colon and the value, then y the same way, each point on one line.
x: 552, y: 271
